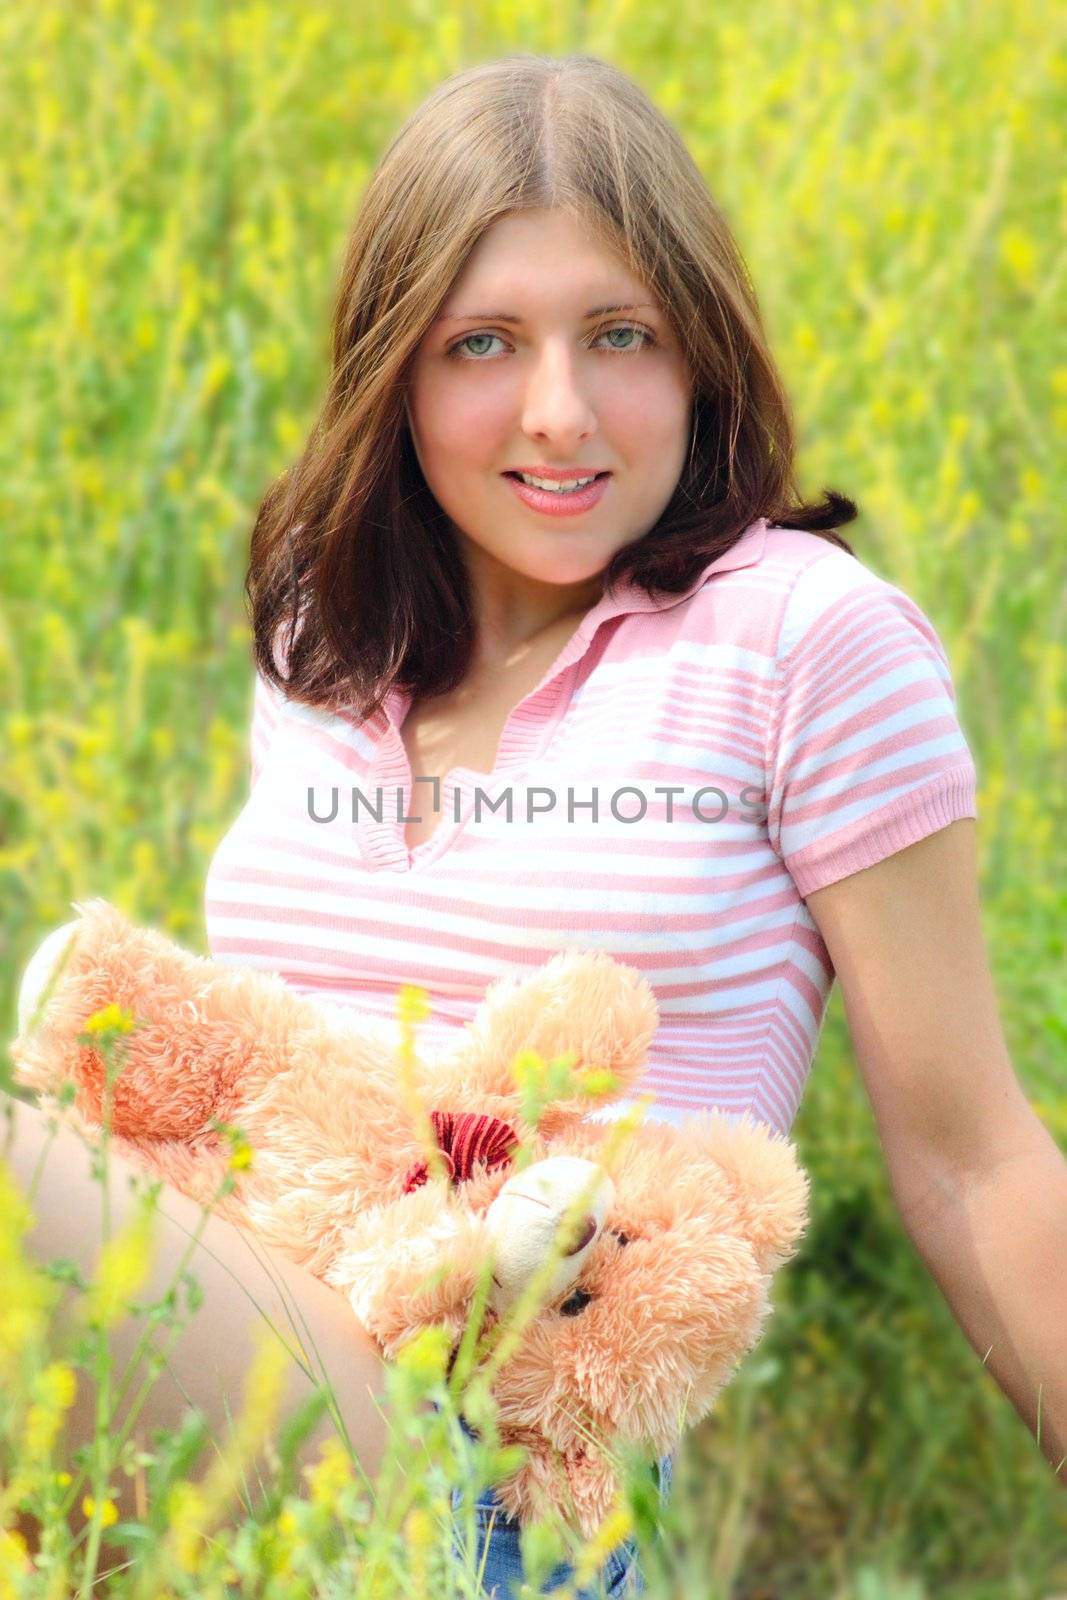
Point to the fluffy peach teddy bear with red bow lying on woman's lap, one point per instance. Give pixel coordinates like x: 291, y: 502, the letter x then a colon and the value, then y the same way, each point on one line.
x: 665, y: 1242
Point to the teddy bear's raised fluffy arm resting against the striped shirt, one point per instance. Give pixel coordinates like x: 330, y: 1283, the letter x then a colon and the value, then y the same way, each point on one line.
x: 580, y: 1004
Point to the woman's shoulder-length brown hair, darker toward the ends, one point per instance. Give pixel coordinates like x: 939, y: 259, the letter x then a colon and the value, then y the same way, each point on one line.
x: 353, y: 559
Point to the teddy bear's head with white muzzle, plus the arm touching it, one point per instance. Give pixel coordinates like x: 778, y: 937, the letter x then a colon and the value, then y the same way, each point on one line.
x: 663, y: 1292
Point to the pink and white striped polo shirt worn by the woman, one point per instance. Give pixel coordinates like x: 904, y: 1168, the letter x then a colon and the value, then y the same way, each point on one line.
x: 684, y: 775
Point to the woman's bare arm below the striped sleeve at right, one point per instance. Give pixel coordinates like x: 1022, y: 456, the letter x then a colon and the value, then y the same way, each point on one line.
x: 980, y: 1183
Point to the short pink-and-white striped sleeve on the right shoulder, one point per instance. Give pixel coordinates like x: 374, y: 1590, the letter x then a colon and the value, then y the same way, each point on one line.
x: 866, y: 753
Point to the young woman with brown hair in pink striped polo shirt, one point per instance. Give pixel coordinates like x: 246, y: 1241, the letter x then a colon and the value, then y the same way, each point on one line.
x: 551, y: 654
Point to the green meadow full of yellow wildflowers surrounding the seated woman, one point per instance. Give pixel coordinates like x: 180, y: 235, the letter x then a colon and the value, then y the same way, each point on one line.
x: 177, y: 188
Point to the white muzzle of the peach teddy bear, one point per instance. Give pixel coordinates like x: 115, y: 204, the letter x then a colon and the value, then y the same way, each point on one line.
x: 526, y: 1218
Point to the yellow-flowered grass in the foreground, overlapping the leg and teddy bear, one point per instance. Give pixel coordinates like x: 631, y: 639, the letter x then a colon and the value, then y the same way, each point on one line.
x: 223, y: 1529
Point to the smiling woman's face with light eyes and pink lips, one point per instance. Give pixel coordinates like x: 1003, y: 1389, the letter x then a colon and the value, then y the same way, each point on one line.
x: 518, y: 375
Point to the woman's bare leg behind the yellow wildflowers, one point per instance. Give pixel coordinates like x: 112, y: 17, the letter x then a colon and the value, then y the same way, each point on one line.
x: 210, y: 1362
